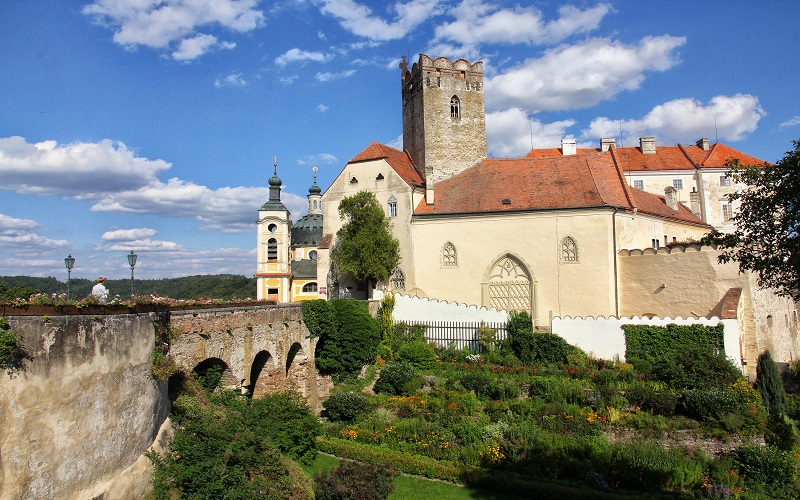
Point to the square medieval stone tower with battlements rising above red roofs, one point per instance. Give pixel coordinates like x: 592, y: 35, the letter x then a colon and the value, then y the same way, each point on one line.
x: 444, y: 125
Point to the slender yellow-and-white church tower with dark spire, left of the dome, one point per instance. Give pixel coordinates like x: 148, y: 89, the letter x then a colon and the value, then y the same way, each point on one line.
x: 273, y: 276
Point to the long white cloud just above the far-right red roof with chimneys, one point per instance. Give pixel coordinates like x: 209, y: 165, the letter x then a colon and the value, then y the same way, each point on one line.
x: 686, y: 120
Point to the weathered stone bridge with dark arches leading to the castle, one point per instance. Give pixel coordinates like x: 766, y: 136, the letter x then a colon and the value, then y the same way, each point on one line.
x: 261, y: 349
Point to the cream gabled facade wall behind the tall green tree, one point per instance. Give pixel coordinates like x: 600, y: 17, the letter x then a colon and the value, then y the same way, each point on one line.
x: 391, y: 184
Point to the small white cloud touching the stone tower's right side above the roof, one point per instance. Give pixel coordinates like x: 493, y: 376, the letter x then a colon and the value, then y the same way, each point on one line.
x: 510, y: 133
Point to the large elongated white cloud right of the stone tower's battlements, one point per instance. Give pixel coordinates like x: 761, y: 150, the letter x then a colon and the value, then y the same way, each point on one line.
x: 580, y: 75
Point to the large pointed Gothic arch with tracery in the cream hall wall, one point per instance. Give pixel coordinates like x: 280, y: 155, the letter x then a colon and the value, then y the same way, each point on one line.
x: 508, y: 284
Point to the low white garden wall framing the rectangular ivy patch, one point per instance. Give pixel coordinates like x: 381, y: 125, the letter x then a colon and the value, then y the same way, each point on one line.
x: 604, y: 337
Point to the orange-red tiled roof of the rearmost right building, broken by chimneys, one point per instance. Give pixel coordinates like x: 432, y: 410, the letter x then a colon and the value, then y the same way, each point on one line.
x: 678, y: 157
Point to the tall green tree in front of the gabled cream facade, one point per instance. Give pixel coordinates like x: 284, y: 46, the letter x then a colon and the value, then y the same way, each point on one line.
x: 366, y: 248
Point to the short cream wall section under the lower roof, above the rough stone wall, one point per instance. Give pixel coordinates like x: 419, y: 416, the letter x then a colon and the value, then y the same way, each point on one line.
x: 636, y: 230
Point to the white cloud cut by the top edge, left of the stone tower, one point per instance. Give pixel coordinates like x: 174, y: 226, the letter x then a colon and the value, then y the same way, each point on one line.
x: 359, y: 19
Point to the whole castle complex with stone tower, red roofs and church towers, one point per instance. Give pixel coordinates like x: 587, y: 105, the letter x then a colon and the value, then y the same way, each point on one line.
x: 567, y: 231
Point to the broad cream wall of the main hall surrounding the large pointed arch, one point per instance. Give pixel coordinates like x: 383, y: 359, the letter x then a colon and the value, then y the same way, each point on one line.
x: 582, y: 288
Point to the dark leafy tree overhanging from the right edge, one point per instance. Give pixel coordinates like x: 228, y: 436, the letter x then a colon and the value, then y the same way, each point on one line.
x: 767, y: 235
